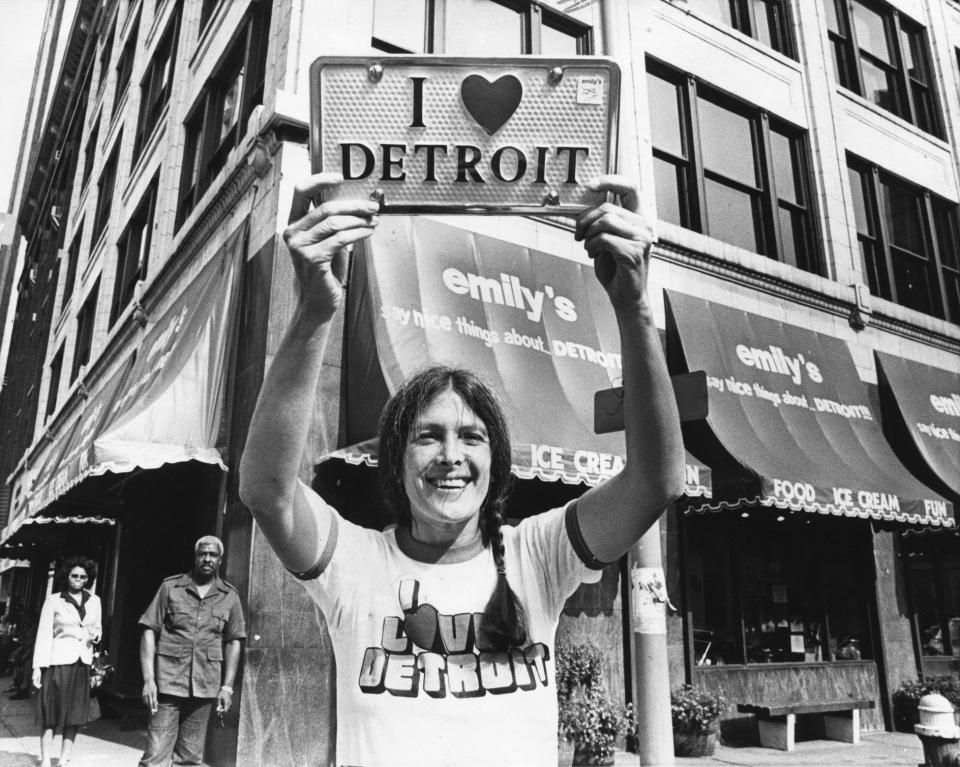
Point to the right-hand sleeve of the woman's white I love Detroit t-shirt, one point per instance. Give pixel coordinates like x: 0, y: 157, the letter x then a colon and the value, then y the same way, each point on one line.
x: 543, y: 539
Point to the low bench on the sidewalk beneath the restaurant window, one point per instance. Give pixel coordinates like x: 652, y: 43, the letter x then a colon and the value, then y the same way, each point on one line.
x: 777, y: 721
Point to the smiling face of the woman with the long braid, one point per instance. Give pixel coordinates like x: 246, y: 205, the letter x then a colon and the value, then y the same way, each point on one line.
x: 446, y: 470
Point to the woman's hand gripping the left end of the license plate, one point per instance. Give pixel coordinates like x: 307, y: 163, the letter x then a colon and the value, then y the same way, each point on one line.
x: 318, y: 237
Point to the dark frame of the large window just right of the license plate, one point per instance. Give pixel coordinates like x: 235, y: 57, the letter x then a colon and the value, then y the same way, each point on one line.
x: 691, y: 175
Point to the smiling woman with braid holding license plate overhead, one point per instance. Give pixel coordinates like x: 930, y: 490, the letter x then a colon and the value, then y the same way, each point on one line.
x: 443, y: 626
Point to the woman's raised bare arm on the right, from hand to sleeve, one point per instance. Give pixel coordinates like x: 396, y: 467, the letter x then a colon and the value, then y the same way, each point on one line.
x: 614, y: 515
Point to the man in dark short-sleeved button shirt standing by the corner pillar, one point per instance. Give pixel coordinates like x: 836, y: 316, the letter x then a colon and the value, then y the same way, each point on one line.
x: 189, y: 653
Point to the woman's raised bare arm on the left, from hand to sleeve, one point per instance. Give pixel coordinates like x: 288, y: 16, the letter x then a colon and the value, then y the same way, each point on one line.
x: 293, y: 520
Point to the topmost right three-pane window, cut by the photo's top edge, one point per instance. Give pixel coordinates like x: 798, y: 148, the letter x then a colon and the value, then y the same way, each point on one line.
x: 881, y: 54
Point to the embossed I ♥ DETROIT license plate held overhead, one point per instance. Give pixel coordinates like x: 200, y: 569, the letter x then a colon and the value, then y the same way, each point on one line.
x: 436, y: 134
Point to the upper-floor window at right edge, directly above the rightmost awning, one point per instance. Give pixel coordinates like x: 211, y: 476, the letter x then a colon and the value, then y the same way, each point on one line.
x: 908, y: 242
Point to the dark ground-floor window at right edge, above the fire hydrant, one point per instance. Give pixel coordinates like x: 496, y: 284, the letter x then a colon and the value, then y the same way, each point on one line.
x: 933, y: 581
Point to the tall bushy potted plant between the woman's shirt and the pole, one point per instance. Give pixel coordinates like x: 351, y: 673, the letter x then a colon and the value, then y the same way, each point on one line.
x: 589, y: 721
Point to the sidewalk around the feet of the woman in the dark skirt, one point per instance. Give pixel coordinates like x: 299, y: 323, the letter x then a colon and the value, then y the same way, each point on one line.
x: 102, y: 743
